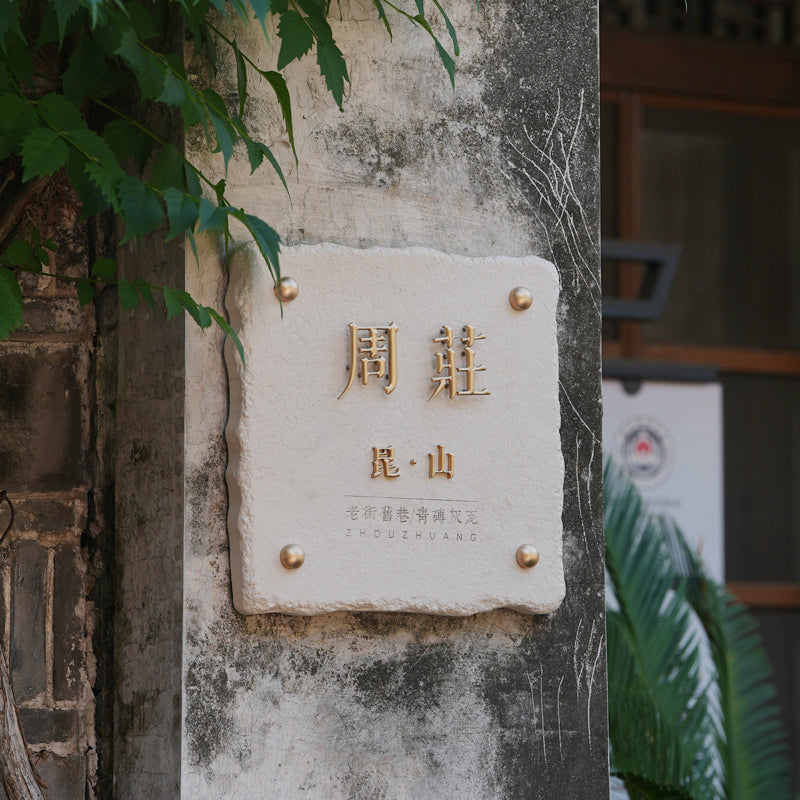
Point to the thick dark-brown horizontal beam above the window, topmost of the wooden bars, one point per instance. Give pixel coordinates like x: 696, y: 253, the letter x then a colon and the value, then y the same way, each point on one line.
x: 697, y: 67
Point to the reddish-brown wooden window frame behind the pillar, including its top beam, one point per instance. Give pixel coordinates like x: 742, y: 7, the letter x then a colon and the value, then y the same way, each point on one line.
x: 639, y: 70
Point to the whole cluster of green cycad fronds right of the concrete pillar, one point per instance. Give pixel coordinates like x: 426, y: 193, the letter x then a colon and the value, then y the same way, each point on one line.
x: 687, y: 675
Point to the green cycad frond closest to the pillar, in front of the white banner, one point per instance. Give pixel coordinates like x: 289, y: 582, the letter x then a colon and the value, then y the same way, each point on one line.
x: 656, y: 687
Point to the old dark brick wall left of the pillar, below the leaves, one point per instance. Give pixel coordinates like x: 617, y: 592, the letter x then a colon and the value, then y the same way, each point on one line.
x: 52, y: 435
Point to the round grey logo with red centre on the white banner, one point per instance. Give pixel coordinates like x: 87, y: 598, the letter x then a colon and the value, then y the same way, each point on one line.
x: 644, y: 449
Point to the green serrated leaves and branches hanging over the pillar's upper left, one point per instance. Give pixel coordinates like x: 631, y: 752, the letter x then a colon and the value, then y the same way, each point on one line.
x: 69, y: 72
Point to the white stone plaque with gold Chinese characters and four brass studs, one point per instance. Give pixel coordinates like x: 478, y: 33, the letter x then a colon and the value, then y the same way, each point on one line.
x: 394, y: 438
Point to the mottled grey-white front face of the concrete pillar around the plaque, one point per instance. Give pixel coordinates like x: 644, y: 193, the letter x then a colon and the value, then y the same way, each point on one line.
x: 377, y: 706
